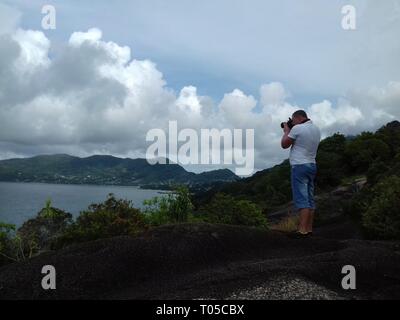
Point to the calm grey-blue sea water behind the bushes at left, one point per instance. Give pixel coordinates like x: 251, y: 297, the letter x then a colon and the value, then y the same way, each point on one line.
x: 22, y: 201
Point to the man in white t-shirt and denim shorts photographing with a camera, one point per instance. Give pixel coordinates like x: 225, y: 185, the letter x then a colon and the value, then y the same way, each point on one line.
x: 303, y: 139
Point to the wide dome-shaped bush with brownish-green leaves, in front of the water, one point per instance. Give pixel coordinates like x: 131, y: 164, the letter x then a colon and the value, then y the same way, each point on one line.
x: 104, y: 220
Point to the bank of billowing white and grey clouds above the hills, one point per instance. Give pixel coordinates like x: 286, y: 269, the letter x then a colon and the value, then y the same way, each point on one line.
x: 94, y: 97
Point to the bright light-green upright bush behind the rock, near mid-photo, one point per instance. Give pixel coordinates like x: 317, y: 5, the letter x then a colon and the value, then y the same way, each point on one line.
x: 176, y: 207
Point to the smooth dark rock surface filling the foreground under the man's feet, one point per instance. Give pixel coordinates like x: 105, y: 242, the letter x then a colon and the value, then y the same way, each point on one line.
x: 197, y: 261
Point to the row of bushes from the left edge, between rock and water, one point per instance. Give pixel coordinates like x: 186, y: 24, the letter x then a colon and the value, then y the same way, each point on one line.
x: 53, y: 228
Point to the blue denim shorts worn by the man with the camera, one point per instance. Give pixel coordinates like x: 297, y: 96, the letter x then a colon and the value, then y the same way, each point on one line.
x: 302, y: 179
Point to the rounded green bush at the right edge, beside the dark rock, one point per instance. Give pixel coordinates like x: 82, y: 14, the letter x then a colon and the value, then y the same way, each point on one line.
x: 382, y: 217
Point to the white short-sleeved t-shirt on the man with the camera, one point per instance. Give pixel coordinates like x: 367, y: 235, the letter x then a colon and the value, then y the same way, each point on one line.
x: 304, y: 149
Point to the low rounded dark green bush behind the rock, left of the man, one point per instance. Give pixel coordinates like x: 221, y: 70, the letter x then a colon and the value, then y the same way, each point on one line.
x: 225, y: 209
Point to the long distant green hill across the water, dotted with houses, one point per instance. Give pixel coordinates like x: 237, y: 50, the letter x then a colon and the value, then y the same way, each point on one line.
x: 105, y: 170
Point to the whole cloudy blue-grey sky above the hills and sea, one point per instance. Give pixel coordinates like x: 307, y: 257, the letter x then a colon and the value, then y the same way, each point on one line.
x: 110, y: 72
